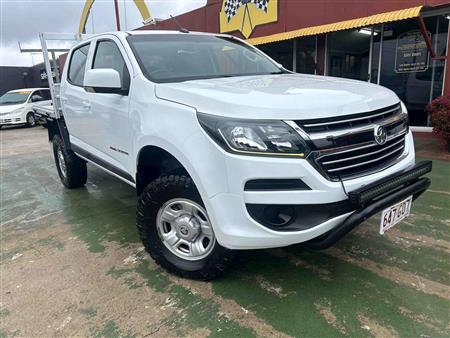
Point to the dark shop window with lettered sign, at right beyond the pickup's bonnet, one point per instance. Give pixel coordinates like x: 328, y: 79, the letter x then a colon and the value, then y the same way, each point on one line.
x: 407, y: 68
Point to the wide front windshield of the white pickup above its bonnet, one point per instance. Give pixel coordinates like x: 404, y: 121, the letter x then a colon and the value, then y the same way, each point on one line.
x: 183, y: 57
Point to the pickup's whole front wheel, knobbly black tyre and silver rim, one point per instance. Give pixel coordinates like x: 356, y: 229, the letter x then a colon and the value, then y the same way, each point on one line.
x: 176, y: 231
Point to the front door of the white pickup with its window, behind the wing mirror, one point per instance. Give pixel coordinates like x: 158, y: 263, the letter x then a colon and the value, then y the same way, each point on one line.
x: 110, y: 110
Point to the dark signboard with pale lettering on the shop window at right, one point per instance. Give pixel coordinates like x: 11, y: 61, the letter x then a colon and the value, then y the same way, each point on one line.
x: 411, y: 53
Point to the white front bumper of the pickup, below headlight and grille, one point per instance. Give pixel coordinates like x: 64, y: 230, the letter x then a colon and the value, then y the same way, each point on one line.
x: 322, y: 208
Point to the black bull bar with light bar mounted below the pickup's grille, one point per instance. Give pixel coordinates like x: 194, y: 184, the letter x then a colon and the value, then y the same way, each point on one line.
x: 375, y: 197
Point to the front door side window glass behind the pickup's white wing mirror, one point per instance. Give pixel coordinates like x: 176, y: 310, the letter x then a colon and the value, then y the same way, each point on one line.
x: 108, y: 55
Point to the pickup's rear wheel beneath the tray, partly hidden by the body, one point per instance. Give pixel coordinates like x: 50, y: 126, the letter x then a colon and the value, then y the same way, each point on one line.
x: 72, y: 170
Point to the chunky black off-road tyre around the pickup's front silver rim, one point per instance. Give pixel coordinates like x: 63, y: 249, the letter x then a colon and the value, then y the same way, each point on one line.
x: 152, y: 198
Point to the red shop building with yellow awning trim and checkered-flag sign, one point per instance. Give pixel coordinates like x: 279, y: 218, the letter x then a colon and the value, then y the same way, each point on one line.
x: 399, y: 44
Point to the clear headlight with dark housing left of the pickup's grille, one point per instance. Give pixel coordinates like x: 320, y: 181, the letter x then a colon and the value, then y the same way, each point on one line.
x: 254, y: 137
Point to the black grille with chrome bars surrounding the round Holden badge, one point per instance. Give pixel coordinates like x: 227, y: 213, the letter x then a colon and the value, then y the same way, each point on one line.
x: 345, y: 147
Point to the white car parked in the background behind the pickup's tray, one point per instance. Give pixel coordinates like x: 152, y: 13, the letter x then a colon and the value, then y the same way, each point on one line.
x: 16, y: 106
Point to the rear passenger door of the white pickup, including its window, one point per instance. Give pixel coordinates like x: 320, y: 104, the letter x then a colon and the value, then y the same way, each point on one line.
x: 76, y: 108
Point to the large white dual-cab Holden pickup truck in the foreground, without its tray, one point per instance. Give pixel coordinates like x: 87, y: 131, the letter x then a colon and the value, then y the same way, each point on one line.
x: 229, y: 151
